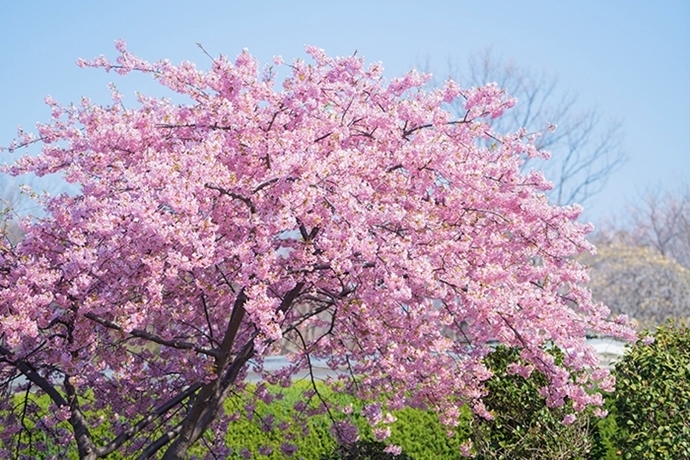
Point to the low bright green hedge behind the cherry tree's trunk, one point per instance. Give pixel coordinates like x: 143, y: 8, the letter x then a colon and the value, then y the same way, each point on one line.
x: 418, y: 432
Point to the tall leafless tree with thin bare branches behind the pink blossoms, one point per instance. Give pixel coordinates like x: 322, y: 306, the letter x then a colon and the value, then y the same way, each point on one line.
x: 585, y: 148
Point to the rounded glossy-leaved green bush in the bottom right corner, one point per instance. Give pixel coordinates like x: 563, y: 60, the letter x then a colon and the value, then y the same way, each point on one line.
x: 651, y: 405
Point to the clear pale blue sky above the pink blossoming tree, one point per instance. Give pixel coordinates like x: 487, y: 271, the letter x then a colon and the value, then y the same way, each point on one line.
x: 630, y: 58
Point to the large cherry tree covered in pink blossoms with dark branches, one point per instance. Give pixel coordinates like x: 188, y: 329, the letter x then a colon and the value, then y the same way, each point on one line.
x: 208, y: 228
